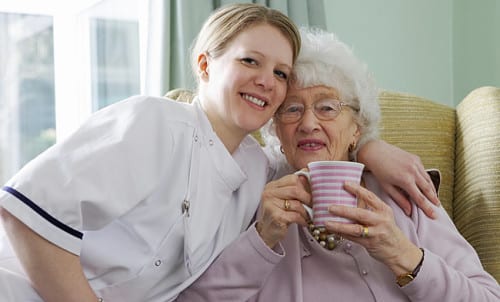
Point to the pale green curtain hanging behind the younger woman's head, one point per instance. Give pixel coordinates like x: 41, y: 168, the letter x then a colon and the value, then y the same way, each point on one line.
x: 173, y: 24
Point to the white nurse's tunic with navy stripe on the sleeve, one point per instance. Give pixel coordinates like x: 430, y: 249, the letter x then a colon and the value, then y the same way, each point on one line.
x: 144, y: 192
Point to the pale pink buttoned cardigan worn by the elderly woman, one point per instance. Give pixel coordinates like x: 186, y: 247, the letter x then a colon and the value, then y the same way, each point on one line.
x: 301, y: 270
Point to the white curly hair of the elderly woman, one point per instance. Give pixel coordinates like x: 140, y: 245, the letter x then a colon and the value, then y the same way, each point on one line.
x: 325, y: 60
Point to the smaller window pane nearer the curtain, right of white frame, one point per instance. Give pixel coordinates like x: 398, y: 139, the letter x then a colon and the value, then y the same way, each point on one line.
x: 115, y: 60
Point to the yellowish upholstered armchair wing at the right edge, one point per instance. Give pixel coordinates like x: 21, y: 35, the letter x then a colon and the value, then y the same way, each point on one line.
x: 477, y: 174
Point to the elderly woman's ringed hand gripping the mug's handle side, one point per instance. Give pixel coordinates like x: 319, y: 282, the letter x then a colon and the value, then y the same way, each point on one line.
x: 281, y: 205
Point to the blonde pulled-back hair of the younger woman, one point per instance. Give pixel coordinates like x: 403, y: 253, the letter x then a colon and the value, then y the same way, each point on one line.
x: 225, y: 23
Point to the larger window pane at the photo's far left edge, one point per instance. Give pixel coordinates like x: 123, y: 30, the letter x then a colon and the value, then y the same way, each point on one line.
x: 27, y: 113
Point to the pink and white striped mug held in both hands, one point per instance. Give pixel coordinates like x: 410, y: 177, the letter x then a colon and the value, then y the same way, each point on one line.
x: 327, y: 180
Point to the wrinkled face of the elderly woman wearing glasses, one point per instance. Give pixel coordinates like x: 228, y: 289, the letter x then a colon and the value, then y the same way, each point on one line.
x: 321, y: 133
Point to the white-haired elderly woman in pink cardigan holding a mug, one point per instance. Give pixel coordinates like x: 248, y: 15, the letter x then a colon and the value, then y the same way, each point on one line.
x: 384, y: 255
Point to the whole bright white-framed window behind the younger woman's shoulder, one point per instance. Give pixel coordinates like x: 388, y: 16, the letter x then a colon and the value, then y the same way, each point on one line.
x: 59, y: 62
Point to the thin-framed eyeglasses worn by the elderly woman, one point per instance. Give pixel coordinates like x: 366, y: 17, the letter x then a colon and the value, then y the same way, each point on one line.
x: 325, y: 110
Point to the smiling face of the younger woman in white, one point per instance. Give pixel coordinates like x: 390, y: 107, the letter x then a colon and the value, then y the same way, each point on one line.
x: 241, y: 89
